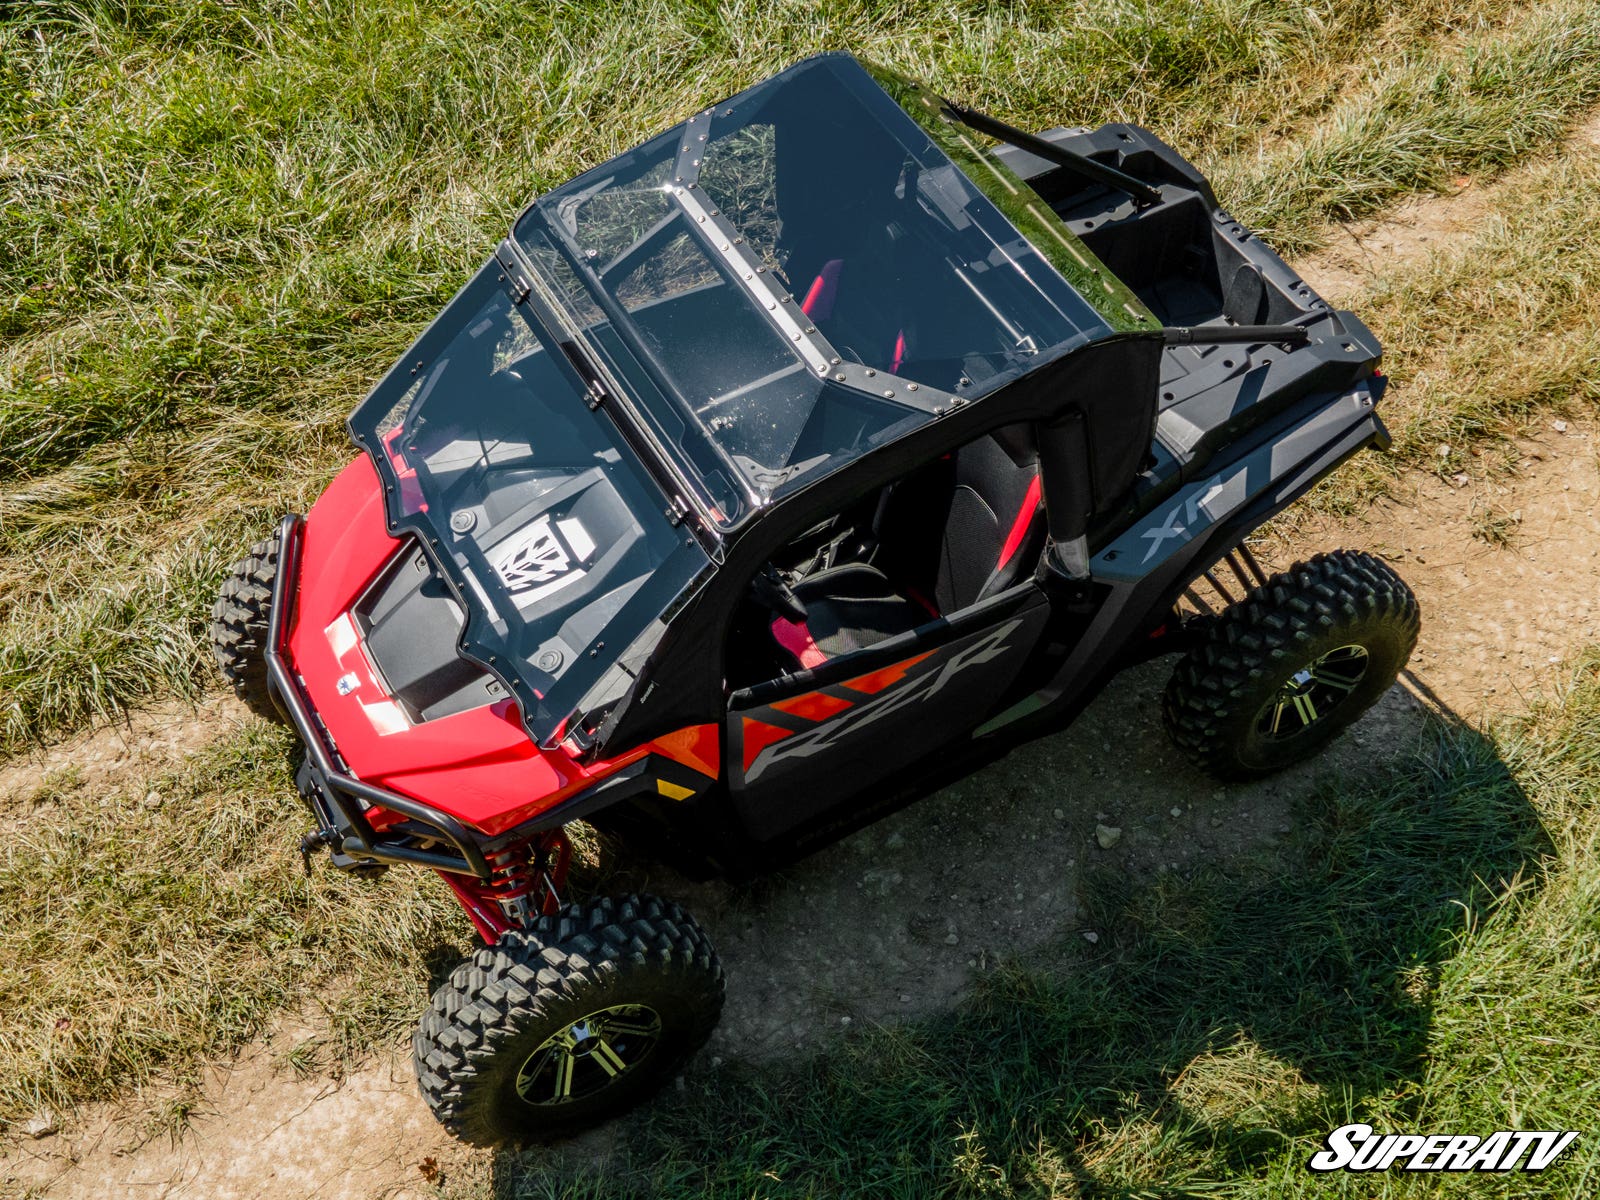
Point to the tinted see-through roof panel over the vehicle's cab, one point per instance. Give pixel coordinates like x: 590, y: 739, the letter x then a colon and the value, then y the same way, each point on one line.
x: 794, y: 278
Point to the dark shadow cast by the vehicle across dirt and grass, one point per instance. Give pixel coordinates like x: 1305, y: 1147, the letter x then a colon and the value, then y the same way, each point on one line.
x: 1257, y: 991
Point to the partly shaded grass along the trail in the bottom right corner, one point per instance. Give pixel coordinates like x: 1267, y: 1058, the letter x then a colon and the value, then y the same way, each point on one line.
x: 1426, y: 958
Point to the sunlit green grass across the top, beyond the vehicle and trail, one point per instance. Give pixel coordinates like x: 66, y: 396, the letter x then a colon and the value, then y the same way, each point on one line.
x: 223, y: 222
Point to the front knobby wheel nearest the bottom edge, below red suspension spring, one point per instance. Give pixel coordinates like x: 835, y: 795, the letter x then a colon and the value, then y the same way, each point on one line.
x: 585, y: 990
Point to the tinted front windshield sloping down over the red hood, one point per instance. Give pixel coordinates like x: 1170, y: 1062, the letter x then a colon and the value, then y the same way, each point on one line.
x: 558, y: 540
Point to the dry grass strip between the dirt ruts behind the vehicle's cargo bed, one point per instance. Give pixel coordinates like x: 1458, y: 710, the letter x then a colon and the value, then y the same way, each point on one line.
x: 1487, y: 335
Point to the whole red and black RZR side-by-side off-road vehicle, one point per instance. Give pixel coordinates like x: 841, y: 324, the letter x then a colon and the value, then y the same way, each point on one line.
x: 774, y: 474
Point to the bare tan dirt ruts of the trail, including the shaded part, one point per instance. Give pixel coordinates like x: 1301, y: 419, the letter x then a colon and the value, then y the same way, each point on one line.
x: 882, y: 927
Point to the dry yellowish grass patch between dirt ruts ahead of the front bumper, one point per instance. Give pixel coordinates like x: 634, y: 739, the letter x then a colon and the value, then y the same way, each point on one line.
x: 146, y: 937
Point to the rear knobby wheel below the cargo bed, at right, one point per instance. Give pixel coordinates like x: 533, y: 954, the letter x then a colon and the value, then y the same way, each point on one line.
x: 1290, y: 666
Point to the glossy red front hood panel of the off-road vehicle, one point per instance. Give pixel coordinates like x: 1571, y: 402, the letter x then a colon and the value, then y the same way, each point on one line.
x: 478, y: 766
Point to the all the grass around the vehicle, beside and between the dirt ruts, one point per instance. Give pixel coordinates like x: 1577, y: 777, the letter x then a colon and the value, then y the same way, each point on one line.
x: 222, y: 222
